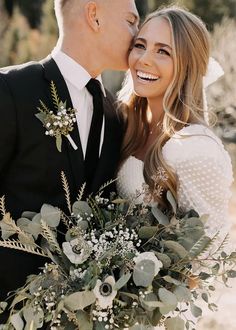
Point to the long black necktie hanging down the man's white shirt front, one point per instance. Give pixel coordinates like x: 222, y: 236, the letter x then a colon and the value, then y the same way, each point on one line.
x: 93, y: 145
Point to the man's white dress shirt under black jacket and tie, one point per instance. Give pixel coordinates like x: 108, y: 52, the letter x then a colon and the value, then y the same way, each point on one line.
x: 76, y: 78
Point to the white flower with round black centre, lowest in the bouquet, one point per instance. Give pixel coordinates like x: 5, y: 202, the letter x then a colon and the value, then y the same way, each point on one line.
x: 104, y: 292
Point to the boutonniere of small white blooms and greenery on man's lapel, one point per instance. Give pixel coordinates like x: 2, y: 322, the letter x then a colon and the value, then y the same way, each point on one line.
x: 59, y: 123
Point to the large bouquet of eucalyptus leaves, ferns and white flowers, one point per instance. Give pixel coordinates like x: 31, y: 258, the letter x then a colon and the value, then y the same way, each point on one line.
x: 118, y: 266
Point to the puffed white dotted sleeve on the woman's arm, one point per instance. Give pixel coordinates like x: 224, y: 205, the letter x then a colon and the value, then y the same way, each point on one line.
x: 204, y: 173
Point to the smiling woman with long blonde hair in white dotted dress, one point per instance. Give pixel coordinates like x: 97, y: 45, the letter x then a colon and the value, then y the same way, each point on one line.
x: 167, y: 122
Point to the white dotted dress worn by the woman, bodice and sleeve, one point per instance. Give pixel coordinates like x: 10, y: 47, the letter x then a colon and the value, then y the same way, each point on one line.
x: 204, y: 175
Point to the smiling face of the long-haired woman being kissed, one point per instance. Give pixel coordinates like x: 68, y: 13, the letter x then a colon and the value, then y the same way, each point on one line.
x: 151, y: 59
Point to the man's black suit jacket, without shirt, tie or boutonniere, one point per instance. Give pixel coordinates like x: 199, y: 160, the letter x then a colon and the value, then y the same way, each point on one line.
x: 30, y: 164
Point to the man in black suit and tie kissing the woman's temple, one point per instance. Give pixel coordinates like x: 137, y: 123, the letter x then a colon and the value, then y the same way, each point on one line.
x: 93, y: 36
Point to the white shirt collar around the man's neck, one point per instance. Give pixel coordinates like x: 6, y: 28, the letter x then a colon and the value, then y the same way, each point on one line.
x: 73, y: 71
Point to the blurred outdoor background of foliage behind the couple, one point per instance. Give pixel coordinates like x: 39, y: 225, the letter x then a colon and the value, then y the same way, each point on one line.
x: 28, y: 31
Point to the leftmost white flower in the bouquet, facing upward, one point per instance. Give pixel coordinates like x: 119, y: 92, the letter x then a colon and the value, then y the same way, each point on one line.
x: 75, y: 253
